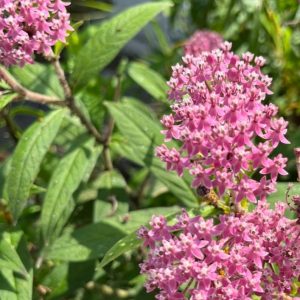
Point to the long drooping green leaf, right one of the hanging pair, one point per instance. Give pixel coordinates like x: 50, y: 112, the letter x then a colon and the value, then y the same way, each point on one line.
x: 64, y: 181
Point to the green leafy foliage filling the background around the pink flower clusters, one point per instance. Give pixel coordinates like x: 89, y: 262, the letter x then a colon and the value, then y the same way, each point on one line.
x: 70, y: 205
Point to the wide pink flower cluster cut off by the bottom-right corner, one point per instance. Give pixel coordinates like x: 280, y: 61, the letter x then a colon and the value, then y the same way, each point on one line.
x: 252, y: 254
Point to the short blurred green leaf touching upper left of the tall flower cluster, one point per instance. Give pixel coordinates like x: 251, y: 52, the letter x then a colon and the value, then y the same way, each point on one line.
x: 149, y: 80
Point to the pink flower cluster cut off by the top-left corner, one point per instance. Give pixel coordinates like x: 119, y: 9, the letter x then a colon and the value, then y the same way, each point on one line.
x: 30, y: 26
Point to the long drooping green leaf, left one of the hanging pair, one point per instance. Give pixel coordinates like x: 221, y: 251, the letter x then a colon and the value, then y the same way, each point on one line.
x: 26, y: 160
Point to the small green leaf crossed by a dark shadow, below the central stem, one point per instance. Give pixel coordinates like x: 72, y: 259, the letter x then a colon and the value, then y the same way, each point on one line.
x: 112, y: 197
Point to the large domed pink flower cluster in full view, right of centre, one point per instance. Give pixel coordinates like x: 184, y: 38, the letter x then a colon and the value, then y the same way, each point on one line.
x: 225, y: 130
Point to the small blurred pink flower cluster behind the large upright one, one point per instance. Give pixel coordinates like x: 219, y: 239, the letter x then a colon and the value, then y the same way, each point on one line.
x: 202, y: 40
